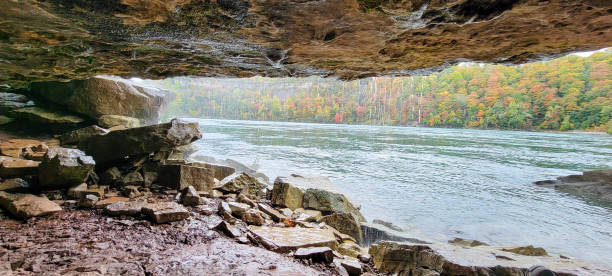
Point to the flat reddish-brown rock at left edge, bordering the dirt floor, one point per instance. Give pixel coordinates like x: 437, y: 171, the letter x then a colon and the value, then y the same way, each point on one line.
x: 27, y: 205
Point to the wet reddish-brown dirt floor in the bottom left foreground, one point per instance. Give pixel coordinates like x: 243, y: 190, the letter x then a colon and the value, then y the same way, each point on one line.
x: 84, y: 242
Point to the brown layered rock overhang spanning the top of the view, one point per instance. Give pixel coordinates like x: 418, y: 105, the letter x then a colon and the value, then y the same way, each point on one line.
x: 64, y: 40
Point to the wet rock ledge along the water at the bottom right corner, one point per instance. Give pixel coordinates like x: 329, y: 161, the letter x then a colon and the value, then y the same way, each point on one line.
x: 443, y: 259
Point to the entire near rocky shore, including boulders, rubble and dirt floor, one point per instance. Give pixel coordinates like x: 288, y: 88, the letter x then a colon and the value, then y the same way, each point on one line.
x: 125, y: 199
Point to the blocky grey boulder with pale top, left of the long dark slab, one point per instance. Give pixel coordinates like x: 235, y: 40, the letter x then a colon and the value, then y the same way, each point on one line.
x: 63, y: 167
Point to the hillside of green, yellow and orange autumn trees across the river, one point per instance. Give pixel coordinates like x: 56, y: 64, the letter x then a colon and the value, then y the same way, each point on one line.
x: 563, y: 94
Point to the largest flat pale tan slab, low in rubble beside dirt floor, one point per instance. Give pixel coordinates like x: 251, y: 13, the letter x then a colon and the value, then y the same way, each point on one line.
x: 292, y: 238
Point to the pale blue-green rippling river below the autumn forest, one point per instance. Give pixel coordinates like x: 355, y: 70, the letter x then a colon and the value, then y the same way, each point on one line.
x: 439, y: 183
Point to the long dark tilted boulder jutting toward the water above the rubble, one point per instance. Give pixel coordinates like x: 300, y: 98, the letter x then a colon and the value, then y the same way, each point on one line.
x: 142, y: 140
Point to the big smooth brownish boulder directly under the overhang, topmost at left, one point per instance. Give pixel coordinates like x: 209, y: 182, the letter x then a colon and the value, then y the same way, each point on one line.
x: 106, y: 95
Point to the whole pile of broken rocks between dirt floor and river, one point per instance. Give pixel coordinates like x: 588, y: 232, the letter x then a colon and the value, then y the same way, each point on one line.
x: 141, y: 173
